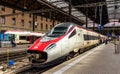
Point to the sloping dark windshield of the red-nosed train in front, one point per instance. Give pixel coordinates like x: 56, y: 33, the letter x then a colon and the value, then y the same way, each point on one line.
x: 57, y: 31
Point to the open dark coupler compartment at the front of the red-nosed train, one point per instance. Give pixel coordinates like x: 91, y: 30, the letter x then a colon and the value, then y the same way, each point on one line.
x: 37, y: 56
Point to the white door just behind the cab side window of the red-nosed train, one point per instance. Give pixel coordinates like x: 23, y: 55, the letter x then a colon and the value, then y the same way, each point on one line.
x: 79, y: 38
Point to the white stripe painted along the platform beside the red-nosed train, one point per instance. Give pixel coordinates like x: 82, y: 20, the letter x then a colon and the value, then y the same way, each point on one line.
x: 60, y: 71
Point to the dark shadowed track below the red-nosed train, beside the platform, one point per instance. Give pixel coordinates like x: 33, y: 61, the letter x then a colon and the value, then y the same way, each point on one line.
x: 40, y: 68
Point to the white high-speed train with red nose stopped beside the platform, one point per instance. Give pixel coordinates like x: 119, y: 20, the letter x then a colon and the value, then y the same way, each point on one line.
x: 63, y: 39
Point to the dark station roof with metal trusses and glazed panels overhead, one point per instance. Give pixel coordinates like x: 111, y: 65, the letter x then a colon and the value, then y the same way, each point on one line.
x: 59, y: 9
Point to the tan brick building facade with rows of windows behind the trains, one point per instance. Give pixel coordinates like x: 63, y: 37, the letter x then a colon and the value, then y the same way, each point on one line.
x: 23, y: 21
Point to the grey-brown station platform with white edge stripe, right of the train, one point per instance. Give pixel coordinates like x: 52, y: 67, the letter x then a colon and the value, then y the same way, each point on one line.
x: 99, y: 60
